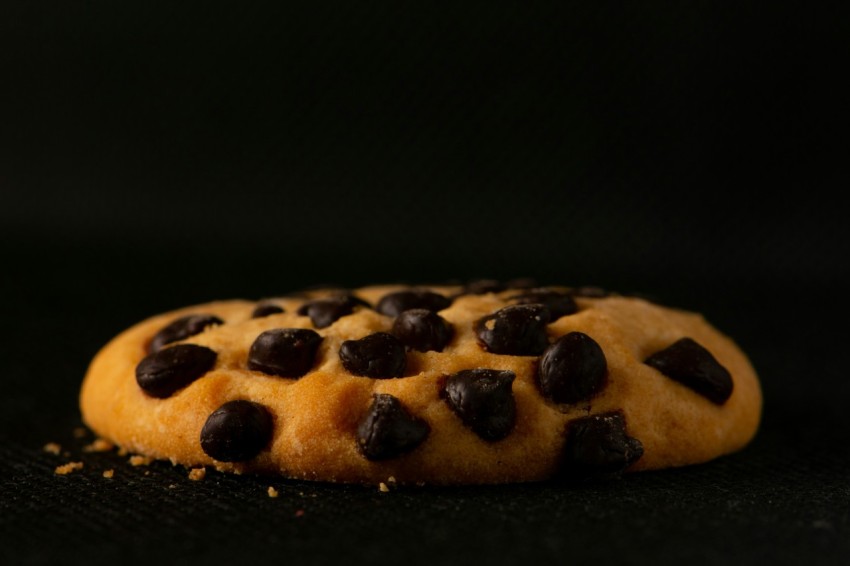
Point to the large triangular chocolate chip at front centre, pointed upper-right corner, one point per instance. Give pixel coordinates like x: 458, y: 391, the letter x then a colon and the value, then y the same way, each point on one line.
x: 483, y: 400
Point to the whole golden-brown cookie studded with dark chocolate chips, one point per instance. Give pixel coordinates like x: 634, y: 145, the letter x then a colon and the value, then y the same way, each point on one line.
x: 456, y: 384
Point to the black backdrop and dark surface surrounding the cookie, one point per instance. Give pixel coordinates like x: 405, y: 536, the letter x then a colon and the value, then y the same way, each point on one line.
x: 153, y: 157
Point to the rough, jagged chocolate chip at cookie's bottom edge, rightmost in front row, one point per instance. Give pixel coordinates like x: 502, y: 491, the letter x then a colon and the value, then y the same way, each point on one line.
x: 598, y: 445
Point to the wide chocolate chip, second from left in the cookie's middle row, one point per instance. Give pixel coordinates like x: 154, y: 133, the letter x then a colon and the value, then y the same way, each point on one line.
x: 285, y: 352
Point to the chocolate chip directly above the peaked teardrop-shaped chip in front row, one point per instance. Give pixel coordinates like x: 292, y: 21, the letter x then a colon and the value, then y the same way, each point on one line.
x: 379, y: 355
